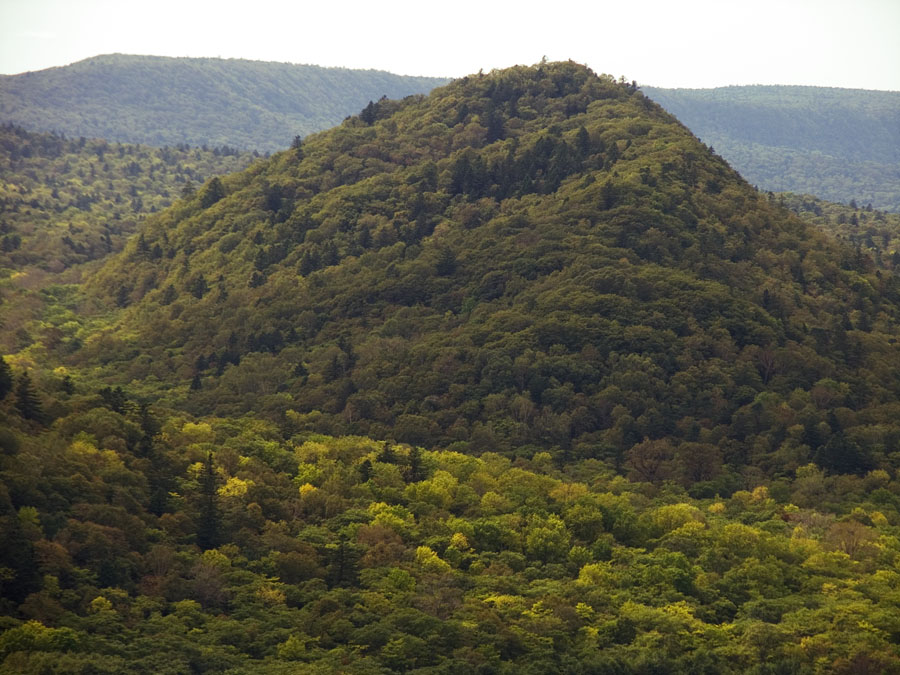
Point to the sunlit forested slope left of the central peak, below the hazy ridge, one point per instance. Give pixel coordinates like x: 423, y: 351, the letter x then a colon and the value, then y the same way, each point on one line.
x: 66, y: 204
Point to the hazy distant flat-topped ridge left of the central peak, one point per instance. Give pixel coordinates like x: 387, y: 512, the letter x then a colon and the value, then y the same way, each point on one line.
x: 160, y: 101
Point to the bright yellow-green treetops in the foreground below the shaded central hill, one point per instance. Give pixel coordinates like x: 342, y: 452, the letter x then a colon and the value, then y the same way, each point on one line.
x: 139, y: 545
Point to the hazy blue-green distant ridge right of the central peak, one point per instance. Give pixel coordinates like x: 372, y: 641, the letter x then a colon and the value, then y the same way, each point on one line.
x: 838, y: 144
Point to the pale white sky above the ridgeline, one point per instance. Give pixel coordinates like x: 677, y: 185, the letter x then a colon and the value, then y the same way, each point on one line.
x: 669, y: 43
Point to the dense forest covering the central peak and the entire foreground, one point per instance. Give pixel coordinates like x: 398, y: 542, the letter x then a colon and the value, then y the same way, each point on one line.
x: 518, y: 376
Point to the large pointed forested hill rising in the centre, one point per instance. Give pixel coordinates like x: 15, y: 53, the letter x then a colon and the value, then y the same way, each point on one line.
x: 536, y: 259
